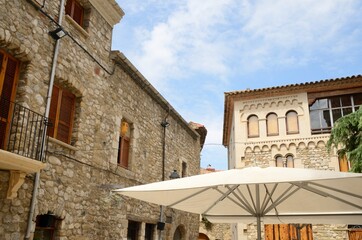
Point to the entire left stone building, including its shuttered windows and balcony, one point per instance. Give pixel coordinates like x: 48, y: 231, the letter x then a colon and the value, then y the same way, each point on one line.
x: 78, y: 120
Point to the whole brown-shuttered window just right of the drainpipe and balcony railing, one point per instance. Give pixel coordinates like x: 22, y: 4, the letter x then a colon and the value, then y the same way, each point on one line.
x: 61, y: 114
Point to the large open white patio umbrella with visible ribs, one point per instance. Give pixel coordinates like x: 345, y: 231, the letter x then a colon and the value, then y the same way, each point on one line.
x: 271, y: 195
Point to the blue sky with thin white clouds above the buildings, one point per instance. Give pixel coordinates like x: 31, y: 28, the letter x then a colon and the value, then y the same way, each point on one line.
x: 192, y: 51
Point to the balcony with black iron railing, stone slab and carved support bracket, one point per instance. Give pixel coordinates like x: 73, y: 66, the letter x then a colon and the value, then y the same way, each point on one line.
x: 22, y: 143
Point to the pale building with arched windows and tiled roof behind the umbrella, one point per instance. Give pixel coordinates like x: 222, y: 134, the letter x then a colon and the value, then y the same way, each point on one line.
x: 288, y: 126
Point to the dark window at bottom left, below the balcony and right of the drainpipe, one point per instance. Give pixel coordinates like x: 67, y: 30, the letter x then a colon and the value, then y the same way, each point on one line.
x: 45, y: 227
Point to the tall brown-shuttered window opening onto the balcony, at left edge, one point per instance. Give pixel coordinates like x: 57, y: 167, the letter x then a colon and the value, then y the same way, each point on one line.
x: 9, y: 71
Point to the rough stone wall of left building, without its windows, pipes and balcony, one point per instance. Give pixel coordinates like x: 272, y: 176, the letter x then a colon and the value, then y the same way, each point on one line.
x: 76, y: 184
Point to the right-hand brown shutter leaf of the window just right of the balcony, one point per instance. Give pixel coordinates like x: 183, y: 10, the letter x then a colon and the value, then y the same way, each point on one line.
x: 66, y: 113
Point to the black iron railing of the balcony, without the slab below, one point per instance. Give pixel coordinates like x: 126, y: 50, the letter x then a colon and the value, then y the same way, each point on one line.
x: 22, y: 131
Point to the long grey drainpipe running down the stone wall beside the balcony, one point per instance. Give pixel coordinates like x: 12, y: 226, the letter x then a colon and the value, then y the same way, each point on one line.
x: 47, y: 110
